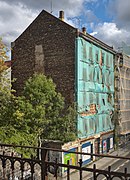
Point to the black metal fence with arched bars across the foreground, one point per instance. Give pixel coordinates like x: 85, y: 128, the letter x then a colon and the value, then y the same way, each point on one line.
x: 14, y: 166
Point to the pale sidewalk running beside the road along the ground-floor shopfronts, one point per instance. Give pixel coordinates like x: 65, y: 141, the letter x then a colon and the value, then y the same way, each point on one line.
x: 100, y: 164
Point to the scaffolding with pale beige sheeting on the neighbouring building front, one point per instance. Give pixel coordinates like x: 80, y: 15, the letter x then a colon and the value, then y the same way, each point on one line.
x: 123, y: 65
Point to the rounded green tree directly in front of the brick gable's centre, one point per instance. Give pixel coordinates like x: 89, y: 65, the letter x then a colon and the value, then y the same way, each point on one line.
x: 47, y: 116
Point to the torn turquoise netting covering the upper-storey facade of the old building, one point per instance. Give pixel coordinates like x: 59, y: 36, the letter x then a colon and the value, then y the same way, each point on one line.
x: 94, y: 87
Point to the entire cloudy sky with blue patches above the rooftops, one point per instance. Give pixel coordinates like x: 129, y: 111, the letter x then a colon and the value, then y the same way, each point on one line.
x: 108, y: 20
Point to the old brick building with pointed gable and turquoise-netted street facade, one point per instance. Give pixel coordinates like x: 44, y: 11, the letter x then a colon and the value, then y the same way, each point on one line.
x: 82, y: 68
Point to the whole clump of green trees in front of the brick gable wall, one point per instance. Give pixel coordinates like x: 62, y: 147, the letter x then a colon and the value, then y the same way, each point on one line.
x: 38, y: 113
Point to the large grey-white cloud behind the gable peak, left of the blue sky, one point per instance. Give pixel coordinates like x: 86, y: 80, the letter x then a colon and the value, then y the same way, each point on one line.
x: 16, y: 15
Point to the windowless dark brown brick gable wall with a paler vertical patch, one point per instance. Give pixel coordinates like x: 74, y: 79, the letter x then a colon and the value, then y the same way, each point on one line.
x: 47, y: 42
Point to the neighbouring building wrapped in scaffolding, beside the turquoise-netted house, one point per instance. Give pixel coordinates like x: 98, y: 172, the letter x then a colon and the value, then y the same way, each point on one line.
x: 123, y: 93
